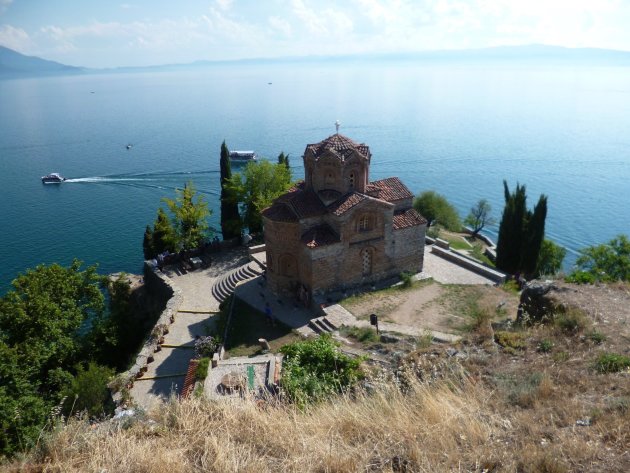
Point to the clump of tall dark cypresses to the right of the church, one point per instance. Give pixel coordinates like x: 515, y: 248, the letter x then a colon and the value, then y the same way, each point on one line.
x: 521, y: 232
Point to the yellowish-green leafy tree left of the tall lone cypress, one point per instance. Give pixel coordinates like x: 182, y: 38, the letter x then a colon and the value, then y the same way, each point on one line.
x: 189, y: 217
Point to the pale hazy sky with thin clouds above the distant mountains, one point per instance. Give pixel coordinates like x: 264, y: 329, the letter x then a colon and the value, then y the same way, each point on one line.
x: 143, y: 32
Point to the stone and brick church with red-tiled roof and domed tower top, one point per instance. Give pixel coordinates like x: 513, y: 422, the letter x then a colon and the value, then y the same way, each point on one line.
x: 336, y: 229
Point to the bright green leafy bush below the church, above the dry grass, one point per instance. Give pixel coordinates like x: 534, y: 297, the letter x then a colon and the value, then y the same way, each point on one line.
x: 314, y: 369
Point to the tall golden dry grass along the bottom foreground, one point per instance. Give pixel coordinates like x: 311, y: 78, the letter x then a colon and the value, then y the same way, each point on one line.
x: 427, y: 429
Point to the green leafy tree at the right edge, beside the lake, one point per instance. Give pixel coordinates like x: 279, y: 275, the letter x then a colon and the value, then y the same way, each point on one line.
x: 607, y: 262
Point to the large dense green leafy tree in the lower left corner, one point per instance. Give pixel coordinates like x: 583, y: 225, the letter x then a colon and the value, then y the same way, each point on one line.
x: 44, y: 332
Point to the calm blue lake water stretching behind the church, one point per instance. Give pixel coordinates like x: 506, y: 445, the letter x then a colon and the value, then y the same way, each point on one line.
x: 459, y: 130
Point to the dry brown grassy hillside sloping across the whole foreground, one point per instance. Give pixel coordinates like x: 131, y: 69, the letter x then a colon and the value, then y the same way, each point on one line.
x: 527, y: 402
